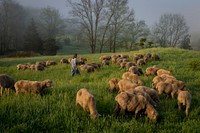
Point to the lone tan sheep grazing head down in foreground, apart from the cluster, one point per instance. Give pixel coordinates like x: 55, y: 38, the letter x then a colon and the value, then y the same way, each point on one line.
x: 87, y: 101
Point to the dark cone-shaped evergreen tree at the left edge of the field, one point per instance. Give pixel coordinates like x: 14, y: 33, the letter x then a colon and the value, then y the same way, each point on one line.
x: 32, y: 40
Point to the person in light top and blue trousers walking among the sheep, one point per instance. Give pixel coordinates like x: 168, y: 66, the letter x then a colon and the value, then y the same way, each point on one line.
x: 74, y: 68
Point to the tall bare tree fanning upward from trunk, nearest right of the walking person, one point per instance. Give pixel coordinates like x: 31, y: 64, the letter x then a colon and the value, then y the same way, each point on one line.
x: 88, y: 14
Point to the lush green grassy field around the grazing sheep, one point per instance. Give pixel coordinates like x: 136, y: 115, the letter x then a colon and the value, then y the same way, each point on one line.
x: 56, y: 110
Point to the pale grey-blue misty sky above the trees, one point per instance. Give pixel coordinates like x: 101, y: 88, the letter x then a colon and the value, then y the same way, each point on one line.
x: 148, y: 10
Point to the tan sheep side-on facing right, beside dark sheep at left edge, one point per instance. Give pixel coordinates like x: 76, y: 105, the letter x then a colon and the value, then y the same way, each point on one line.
x: 32, y: 87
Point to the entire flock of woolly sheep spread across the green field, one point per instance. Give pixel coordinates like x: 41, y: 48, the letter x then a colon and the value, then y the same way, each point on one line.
x: 132, y: 95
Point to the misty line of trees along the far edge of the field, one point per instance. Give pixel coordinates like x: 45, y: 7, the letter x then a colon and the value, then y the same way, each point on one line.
x: 101, y: 25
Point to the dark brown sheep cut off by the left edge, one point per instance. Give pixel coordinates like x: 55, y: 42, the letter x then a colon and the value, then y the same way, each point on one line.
x: 6, y: 82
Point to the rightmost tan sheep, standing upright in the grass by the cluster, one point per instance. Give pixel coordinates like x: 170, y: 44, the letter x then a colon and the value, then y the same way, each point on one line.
x: 184, y: 98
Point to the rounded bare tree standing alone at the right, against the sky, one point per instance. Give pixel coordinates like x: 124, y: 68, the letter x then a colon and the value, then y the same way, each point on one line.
x: 170, y: 30
